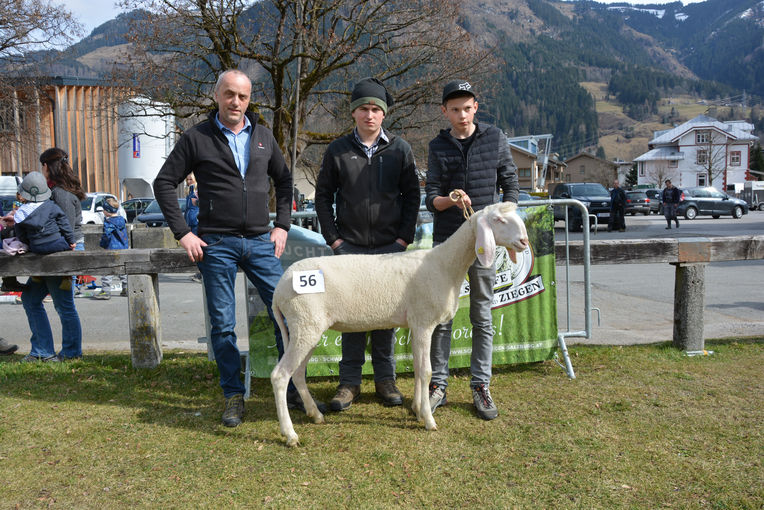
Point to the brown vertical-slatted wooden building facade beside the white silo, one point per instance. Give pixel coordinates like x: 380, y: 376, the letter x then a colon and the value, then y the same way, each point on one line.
x: 77, y: 115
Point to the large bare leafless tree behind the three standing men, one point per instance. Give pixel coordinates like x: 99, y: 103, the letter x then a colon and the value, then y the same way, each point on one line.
x: 413, y: 46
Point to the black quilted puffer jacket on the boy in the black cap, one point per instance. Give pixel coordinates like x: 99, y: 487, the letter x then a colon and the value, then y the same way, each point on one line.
x: 487, y: 166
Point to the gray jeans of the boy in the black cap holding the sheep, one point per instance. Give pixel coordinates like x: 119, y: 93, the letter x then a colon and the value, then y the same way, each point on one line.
x: 481, y: 295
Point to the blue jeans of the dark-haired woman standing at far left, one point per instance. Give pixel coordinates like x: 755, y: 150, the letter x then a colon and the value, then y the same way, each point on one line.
x: 60, y: 289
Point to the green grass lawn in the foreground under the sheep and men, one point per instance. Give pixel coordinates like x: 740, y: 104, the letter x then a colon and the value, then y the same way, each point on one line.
x: 641, y: 427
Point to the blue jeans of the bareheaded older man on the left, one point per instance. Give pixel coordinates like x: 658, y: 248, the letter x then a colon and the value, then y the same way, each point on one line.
x: 223, y: 255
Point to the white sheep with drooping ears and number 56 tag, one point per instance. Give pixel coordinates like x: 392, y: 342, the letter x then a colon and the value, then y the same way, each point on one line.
x: 418, y: 289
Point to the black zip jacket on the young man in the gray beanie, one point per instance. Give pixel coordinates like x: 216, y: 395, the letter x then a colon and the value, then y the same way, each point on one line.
x: 377, y: 199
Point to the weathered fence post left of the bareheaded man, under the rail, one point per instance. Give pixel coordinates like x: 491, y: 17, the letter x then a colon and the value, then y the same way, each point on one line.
x: 145, y: 328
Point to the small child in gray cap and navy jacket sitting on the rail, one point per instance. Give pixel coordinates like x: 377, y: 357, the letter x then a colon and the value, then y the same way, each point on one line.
x: 39, y: 222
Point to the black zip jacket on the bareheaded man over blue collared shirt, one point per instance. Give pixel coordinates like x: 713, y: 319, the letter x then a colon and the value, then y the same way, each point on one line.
x: 228, y: 203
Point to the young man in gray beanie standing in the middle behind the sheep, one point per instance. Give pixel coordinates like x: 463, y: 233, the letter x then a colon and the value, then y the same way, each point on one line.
x: 371, y: 175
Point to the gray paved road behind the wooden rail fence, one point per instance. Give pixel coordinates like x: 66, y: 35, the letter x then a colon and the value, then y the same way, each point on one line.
x: 635, y: 300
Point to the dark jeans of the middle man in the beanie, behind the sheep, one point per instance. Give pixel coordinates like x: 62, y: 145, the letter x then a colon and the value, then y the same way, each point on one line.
x: 382, y: 340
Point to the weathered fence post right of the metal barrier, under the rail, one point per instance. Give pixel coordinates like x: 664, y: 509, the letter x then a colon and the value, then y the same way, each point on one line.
x: 689, y: 301
